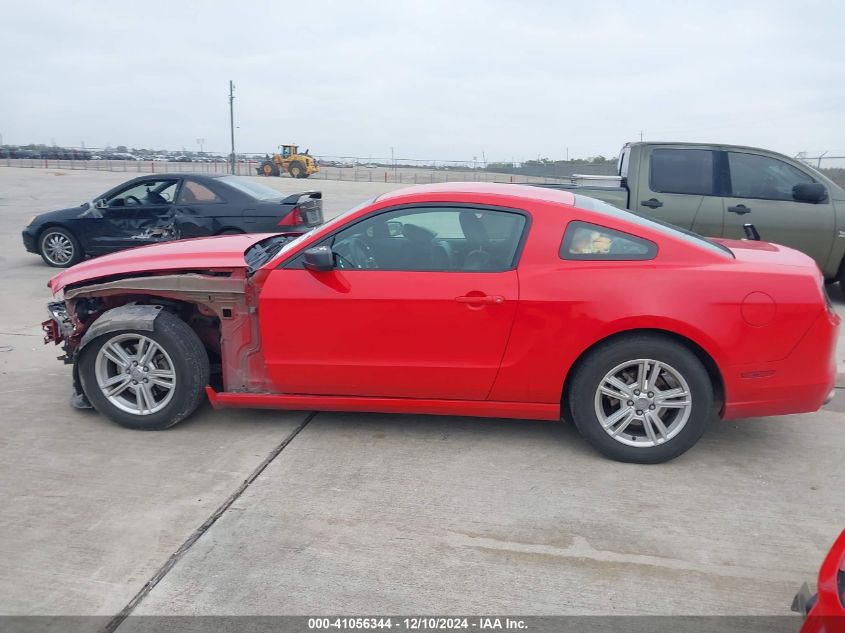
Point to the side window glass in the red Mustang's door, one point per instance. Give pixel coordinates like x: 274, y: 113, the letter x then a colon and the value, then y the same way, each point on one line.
x: 432, y: 239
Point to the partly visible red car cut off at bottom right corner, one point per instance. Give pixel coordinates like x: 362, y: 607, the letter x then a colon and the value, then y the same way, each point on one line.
x: 825, y: 610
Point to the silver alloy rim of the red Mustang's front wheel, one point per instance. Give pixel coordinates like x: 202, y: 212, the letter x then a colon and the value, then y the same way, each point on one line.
x: 135, y: 374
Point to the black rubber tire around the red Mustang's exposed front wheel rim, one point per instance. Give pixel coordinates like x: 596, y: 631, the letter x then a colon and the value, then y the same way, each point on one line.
x: 189, y: 364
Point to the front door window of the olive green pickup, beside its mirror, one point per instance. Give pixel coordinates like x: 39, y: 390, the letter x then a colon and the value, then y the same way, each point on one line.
x: 756, y: 176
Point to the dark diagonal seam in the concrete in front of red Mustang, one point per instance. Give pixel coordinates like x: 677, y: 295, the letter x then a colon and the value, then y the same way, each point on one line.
x: 176, y: 556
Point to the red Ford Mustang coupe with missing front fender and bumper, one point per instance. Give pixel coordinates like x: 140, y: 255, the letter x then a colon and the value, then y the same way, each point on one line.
x: 459, y: 299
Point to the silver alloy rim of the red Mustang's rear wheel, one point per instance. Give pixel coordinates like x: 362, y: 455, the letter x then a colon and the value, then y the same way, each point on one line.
x: 643, y: 402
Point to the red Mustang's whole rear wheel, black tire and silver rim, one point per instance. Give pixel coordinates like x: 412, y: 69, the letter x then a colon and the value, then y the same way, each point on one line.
x: 643, y: 399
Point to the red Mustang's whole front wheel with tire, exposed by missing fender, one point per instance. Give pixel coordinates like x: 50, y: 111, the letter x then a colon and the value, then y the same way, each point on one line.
x: 146, y: 380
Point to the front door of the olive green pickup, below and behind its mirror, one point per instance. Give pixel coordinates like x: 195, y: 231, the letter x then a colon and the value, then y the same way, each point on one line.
x: 761, y: 193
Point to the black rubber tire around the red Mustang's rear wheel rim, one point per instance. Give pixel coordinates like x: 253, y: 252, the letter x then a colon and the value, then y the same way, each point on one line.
x: 584, y: 399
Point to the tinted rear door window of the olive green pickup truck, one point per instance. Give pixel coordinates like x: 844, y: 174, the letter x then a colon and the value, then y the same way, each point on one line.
x: 687, y: 171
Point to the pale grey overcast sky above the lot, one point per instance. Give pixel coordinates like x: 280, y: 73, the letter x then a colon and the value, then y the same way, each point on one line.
x: 433, y: 79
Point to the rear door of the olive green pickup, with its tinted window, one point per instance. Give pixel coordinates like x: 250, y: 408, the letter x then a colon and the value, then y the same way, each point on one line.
x: 678, y: 186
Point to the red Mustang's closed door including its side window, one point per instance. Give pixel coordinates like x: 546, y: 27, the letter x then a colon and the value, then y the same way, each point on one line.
x: 420, y: 304
